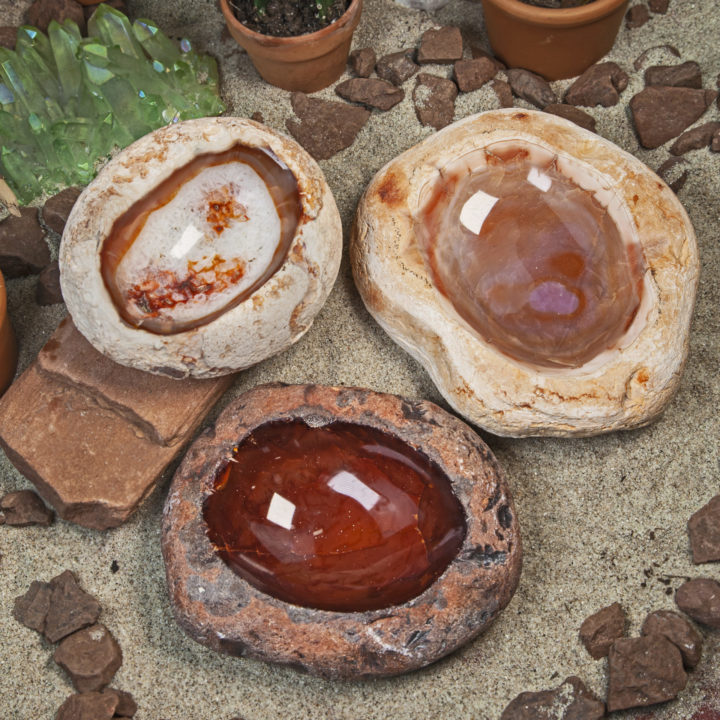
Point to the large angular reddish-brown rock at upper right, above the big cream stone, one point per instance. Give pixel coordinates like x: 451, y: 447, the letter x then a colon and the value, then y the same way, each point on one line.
x: 661, y: 113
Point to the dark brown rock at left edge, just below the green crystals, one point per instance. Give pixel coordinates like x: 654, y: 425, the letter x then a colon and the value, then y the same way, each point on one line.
x: 23, y: 250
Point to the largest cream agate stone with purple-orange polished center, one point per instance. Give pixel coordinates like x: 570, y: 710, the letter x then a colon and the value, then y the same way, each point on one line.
x: 542, y: 276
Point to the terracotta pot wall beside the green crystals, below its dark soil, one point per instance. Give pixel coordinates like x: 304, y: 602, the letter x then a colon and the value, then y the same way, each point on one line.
x: 304, y: 62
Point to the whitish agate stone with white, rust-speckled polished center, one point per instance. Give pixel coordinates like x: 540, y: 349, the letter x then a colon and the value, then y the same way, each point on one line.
x: 201, y: 249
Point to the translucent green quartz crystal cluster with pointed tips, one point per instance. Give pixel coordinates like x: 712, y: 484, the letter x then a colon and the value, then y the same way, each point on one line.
x: 68, y: 101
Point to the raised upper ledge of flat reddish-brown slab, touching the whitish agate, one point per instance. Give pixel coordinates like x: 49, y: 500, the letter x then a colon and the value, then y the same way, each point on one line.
x: 162, y: 410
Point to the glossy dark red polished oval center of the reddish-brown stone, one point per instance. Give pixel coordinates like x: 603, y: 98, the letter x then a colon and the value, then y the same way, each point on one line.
x: 342, y: 517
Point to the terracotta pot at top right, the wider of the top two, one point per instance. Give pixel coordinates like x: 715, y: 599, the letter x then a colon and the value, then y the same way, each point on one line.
x: 555, y: 43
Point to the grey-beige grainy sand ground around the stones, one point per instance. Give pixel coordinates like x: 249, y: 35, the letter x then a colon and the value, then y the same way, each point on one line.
x: 603, y: 519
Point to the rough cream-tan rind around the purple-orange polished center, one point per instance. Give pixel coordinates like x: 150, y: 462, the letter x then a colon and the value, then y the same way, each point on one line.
x: 627, y: 381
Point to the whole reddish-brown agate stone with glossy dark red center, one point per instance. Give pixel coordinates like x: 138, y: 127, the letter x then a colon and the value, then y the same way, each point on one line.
x: 344, y: 532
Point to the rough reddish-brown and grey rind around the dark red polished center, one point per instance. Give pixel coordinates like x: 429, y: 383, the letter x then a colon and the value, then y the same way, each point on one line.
x: 183, y: 516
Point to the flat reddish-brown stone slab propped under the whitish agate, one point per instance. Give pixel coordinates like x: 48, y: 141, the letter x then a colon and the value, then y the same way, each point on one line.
x: 93, y: 436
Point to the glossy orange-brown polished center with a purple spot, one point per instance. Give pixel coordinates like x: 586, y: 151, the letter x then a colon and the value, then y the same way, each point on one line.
x: 547, y: 279
